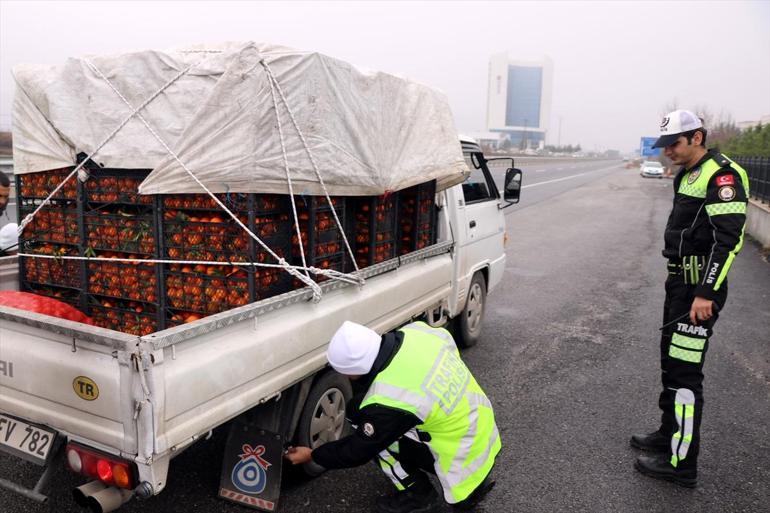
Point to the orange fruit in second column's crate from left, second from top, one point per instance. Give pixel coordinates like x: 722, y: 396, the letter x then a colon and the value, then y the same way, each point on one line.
x: 122, y: 230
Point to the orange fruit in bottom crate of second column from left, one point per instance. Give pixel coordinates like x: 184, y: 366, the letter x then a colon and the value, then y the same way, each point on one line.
x: 132, y: 317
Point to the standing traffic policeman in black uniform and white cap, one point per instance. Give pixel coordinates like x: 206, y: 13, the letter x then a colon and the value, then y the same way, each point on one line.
x: 703, y: 235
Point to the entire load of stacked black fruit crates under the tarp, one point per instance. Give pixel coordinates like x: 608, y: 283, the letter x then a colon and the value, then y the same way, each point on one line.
x: 106, y: 217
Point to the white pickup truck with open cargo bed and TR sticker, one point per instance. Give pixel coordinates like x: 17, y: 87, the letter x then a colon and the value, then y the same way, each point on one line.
x: 139, y: 401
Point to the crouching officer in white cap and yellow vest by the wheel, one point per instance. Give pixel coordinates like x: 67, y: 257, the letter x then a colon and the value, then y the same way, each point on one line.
x: 420, y: 411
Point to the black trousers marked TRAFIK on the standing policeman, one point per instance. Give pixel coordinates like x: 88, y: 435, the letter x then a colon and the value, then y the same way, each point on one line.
x: 683, y: 347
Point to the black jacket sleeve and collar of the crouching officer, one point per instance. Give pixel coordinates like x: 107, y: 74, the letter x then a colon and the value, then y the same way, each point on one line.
x: 376, y: 426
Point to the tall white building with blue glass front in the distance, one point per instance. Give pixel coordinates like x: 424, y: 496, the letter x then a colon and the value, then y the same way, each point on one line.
x: 519, y: 99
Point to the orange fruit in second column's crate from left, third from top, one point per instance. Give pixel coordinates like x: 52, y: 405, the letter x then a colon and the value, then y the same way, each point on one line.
x: 133, y: 281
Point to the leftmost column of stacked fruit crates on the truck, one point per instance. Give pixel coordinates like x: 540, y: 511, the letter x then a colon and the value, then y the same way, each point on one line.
x: 53, y: 231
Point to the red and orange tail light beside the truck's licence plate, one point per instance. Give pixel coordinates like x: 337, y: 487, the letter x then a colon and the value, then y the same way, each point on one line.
x: 110, y: 470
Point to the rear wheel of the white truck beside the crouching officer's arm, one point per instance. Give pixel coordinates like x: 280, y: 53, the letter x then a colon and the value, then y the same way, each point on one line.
x: 323, y: 417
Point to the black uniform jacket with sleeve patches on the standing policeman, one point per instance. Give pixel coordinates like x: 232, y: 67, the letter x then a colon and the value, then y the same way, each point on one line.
x: 691, y: 231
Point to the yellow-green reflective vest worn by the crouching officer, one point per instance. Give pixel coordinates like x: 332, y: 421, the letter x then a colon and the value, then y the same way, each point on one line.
x: 428, y: 379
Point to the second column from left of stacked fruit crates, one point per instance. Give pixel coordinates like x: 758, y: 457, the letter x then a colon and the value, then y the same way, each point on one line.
x: 120, y: 223
